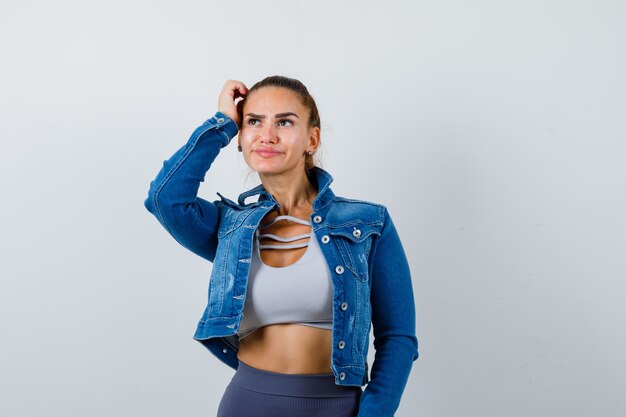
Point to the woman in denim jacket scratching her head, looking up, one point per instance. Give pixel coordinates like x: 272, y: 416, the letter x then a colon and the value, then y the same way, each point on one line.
x: 300, y: 274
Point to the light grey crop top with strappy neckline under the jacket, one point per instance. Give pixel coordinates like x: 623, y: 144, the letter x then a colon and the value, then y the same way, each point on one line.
x: 298, y: 293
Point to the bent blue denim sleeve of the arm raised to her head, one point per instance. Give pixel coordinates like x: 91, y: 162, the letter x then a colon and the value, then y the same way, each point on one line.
x: 172, y: 197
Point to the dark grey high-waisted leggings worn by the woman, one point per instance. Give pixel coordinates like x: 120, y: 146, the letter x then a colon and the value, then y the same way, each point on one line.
x: 255, y: 392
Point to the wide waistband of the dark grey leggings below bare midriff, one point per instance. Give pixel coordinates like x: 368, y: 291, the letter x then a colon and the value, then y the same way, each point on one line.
x: 307, y: 385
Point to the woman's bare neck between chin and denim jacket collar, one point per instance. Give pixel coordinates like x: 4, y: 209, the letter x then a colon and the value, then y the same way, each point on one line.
x: 291, y: 189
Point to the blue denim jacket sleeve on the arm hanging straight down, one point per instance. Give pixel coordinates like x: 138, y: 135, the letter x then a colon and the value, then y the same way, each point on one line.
x: 393, y: 321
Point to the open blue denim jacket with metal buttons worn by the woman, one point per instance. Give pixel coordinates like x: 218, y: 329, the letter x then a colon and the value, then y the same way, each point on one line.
x: 366, y: 259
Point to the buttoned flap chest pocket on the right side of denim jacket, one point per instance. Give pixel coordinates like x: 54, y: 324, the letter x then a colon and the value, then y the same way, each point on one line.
x: 354, y: 242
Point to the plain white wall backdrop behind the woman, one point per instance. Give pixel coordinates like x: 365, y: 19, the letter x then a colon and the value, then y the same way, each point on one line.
x: 494, y: 131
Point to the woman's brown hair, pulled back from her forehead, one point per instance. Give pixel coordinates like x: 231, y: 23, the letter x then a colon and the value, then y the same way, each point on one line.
x: 305, y: 98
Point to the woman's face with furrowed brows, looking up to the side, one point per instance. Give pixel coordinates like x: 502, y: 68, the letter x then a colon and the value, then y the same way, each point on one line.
x: 274, y: 135
